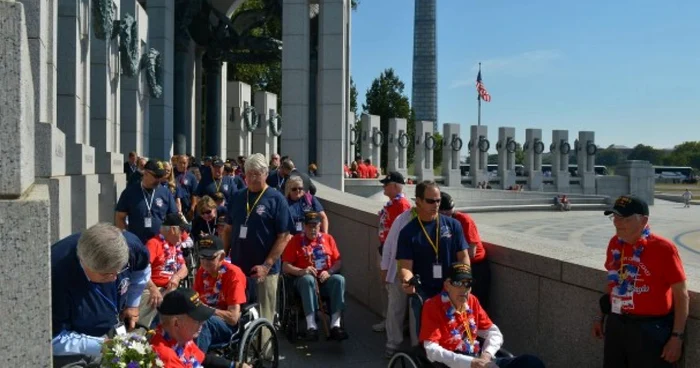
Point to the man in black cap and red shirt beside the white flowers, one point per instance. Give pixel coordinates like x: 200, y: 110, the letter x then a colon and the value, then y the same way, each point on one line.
x: 182, y: 316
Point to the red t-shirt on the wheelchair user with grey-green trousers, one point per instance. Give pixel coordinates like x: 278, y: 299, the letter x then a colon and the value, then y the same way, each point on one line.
x: 299, y: 253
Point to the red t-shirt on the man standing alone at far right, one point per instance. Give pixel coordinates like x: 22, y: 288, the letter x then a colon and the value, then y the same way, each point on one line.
x: 660, y: 267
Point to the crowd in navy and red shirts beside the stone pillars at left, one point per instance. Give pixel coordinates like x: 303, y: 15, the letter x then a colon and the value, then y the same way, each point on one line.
x: 246, y: 226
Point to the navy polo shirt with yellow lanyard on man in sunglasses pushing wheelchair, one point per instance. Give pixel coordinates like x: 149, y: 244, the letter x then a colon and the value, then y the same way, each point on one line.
x: 413, y: 245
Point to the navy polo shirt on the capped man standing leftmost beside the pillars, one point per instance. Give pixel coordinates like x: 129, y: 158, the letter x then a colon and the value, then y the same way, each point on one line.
x: 133, y: 202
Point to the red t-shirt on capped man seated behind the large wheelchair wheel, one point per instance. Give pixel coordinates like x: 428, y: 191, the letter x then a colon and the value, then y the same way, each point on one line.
x: 232, y: 288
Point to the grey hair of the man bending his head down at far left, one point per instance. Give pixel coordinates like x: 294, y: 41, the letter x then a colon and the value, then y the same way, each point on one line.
x: 103, y: 248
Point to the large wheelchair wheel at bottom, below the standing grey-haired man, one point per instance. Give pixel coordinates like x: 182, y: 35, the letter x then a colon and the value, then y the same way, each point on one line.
x: 257, y: 350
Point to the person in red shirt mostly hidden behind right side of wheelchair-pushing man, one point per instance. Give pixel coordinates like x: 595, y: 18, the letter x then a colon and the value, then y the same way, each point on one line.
x: 477, y: 253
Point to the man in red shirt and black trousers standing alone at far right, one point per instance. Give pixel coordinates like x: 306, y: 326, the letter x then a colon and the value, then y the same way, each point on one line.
x: 647, y: 294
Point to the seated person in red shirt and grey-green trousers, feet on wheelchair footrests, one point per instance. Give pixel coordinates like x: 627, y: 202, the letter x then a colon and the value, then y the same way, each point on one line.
x: 313, y: 256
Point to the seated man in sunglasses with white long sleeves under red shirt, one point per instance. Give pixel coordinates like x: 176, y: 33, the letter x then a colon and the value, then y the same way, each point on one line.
x: 451, y: 322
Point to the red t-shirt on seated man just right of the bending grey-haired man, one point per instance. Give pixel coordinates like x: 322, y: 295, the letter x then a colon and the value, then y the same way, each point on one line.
x: 164, y: 262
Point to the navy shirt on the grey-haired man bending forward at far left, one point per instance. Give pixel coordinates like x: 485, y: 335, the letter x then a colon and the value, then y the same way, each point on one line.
x: 83, y: 306
